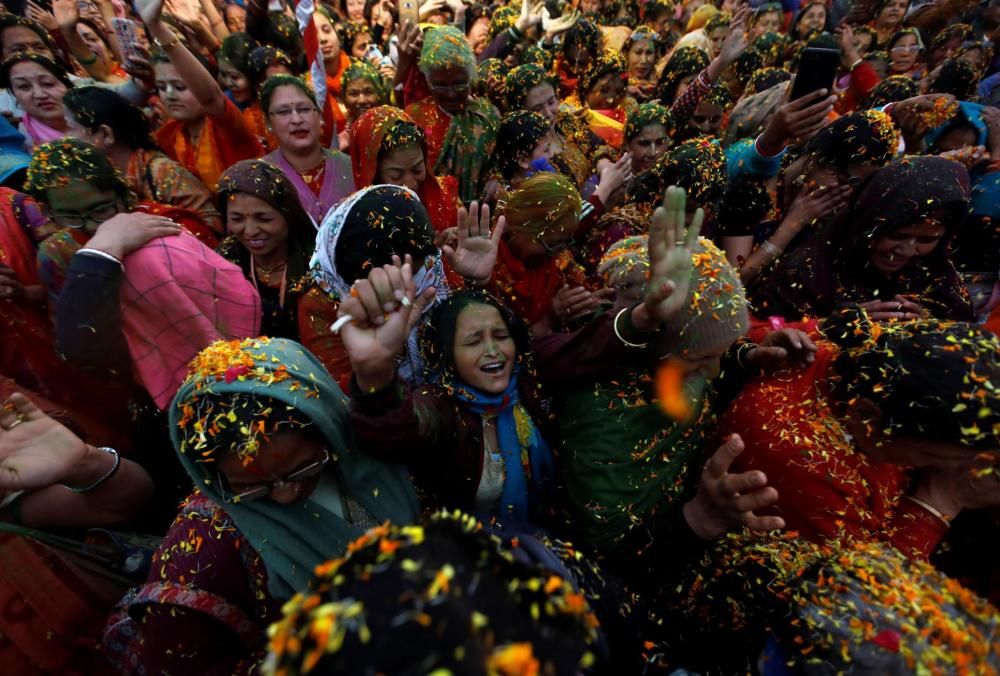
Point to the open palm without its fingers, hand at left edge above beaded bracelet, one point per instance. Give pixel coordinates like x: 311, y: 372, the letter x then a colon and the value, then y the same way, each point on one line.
x: 36, y: 453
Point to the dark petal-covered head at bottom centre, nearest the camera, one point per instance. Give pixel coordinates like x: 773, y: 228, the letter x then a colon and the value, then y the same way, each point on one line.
x: 446, y: 595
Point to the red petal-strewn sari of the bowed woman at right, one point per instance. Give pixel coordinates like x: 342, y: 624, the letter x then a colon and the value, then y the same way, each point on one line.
x: 826, y: 488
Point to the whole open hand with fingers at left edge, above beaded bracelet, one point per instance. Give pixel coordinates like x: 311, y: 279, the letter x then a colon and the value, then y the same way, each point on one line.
x: 35, y: 450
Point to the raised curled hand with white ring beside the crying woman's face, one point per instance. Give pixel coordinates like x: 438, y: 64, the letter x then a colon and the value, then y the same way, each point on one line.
x: 377, y: 318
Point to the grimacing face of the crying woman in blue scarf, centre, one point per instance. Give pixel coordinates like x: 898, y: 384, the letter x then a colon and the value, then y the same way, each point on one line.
x: 484, y: 349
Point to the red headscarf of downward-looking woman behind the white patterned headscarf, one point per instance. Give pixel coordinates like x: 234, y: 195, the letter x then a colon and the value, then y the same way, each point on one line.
x: 438, y: 196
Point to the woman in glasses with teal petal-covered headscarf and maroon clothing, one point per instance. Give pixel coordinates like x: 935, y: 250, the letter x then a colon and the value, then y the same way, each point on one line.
x: 262, y: 431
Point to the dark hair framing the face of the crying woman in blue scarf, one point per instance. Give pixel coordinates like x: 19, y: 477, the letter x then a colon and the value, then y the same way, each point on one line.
x: 438, y: 335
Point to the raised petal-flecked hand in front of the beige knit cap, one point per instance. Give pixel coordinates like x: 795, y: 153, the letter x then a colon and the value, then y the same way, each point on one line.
x: 670, y: 264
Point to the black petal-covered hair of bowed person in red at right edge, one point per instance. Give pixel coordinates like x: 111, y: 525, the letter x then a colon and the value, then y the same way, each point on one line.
x: 925, y: 376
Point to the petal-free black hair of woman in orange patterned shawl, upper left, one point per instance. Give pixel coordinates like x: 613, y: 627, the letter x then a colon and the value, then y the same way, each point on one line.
x: 93, y: 106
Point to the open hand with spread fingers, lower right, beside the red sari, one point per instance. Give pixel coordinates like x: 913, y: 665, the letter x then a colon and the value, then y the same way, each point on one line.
x: 726, y: 501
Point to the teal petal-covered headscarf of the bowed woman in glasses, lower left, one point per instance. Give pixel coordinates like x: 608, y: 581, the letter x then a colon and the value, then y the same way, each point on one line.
x: 291, y: 539
